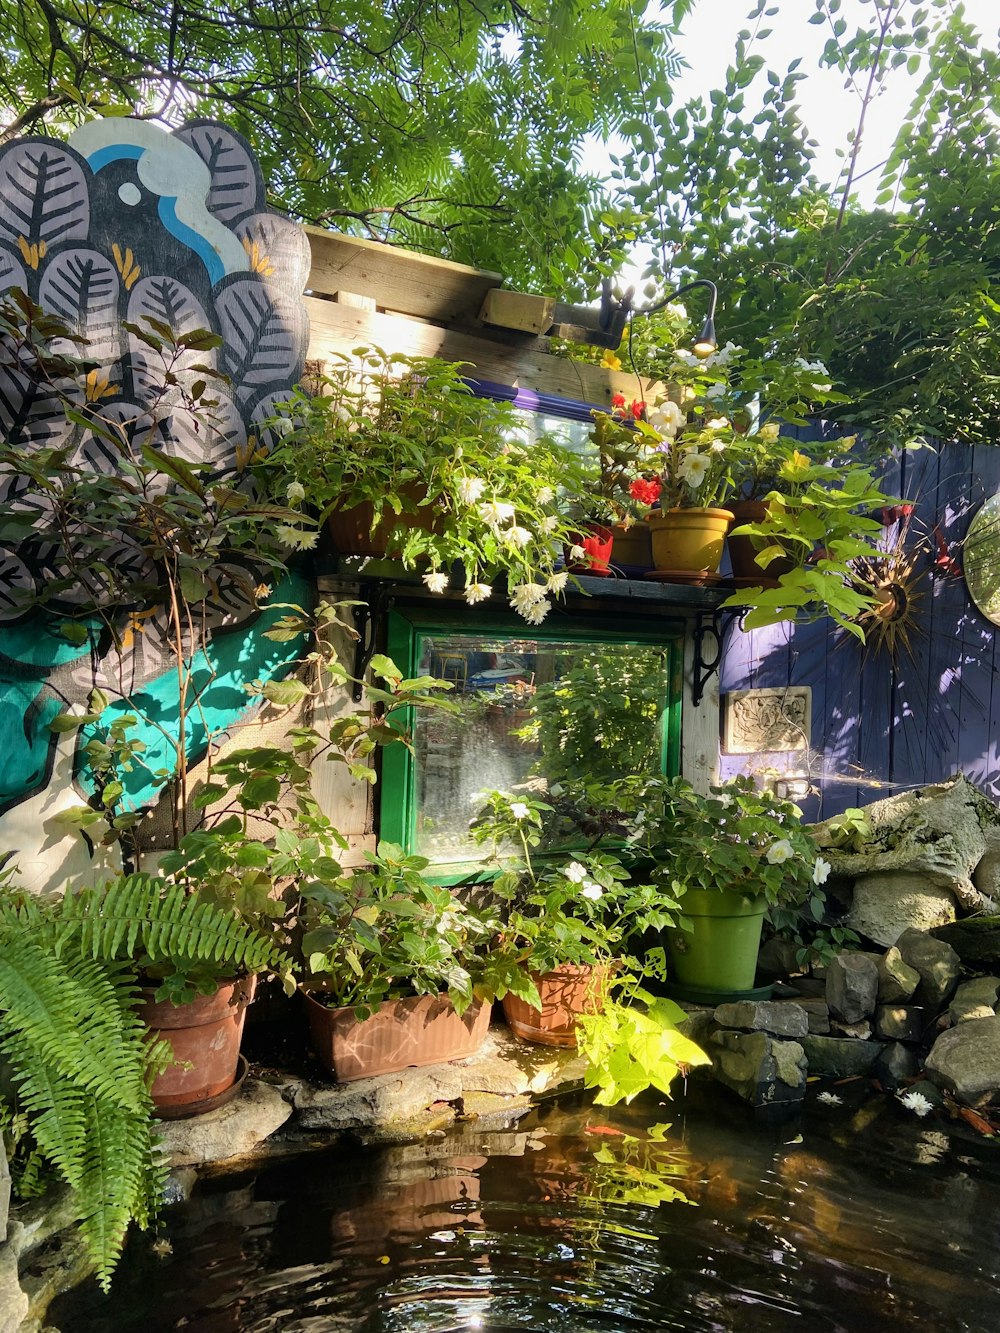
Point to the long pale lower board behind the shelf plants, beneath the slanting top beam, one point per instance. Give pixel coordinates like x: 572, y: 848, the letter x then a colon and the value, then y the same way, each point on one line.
x: 337, y: 330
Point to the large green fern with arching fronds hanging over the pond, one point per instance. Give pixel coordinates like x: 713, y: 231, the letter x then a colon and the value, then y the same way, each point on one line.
x: 79, y: 1058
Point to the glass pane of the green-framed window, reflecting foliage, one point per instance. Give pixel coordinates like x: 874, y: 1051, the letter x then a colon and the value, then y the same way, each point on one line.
x: 533, y: 712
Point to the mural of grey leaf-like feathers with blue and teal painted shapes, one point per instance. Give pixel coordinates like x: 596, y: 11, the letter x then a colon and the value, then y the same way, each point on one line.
x: 134, y: 238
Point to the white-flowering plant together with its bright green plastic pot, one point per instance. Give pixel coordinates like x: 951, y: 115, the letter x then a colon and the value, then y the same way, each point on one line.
x: 727, y: 856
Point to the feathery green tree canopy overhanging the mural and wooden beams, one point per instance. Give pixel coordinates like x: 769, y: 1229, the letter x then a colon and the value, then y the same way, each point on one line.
x: 453, y: 127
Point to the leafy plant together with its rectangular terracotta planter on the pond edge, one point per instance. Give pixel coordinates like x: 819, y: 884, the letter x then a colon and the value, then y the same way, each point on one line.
x: 393, y: 962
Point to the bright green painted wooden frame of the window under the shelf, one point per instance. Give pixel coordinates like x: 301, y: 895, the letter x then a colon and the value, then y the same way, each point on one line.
x: 409, y: 627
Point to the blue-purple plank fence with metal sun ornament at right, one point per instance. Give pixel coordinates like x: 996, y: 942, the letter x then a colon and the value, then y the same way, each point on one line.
x: 882, y: 723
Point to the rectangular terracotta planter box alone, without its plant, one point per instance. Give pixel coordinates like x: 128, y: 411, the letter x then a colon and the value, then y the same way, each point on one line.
x: 401, y: 1034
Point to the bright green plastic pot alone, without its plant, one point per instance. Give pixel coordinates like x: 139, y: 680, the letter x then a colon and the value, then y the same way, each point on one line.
x: 721, y: 950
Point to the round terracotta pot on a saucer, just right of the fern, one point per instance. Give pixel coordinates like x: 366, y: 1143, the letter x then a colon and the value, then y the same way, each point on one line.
x: 205, y: 1035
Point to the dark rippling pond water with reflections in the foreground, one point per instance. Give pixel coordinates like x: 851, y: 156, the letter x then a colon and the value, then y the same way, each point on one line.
x: 578, y: 1220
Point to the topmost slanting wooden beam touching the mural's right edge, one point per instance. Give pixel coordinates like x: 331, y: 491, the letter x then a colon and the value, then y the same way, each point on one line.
x: 397, y: 279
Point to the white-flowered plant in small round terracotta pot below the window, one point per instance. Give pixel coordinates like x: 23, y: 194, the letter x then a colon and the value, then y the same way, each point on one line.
x: 567, y: 918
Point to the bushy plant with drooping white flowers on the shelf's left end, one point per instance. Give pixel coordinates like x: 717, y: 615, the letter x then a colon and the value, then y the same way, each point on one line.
x: 402, y: 459
